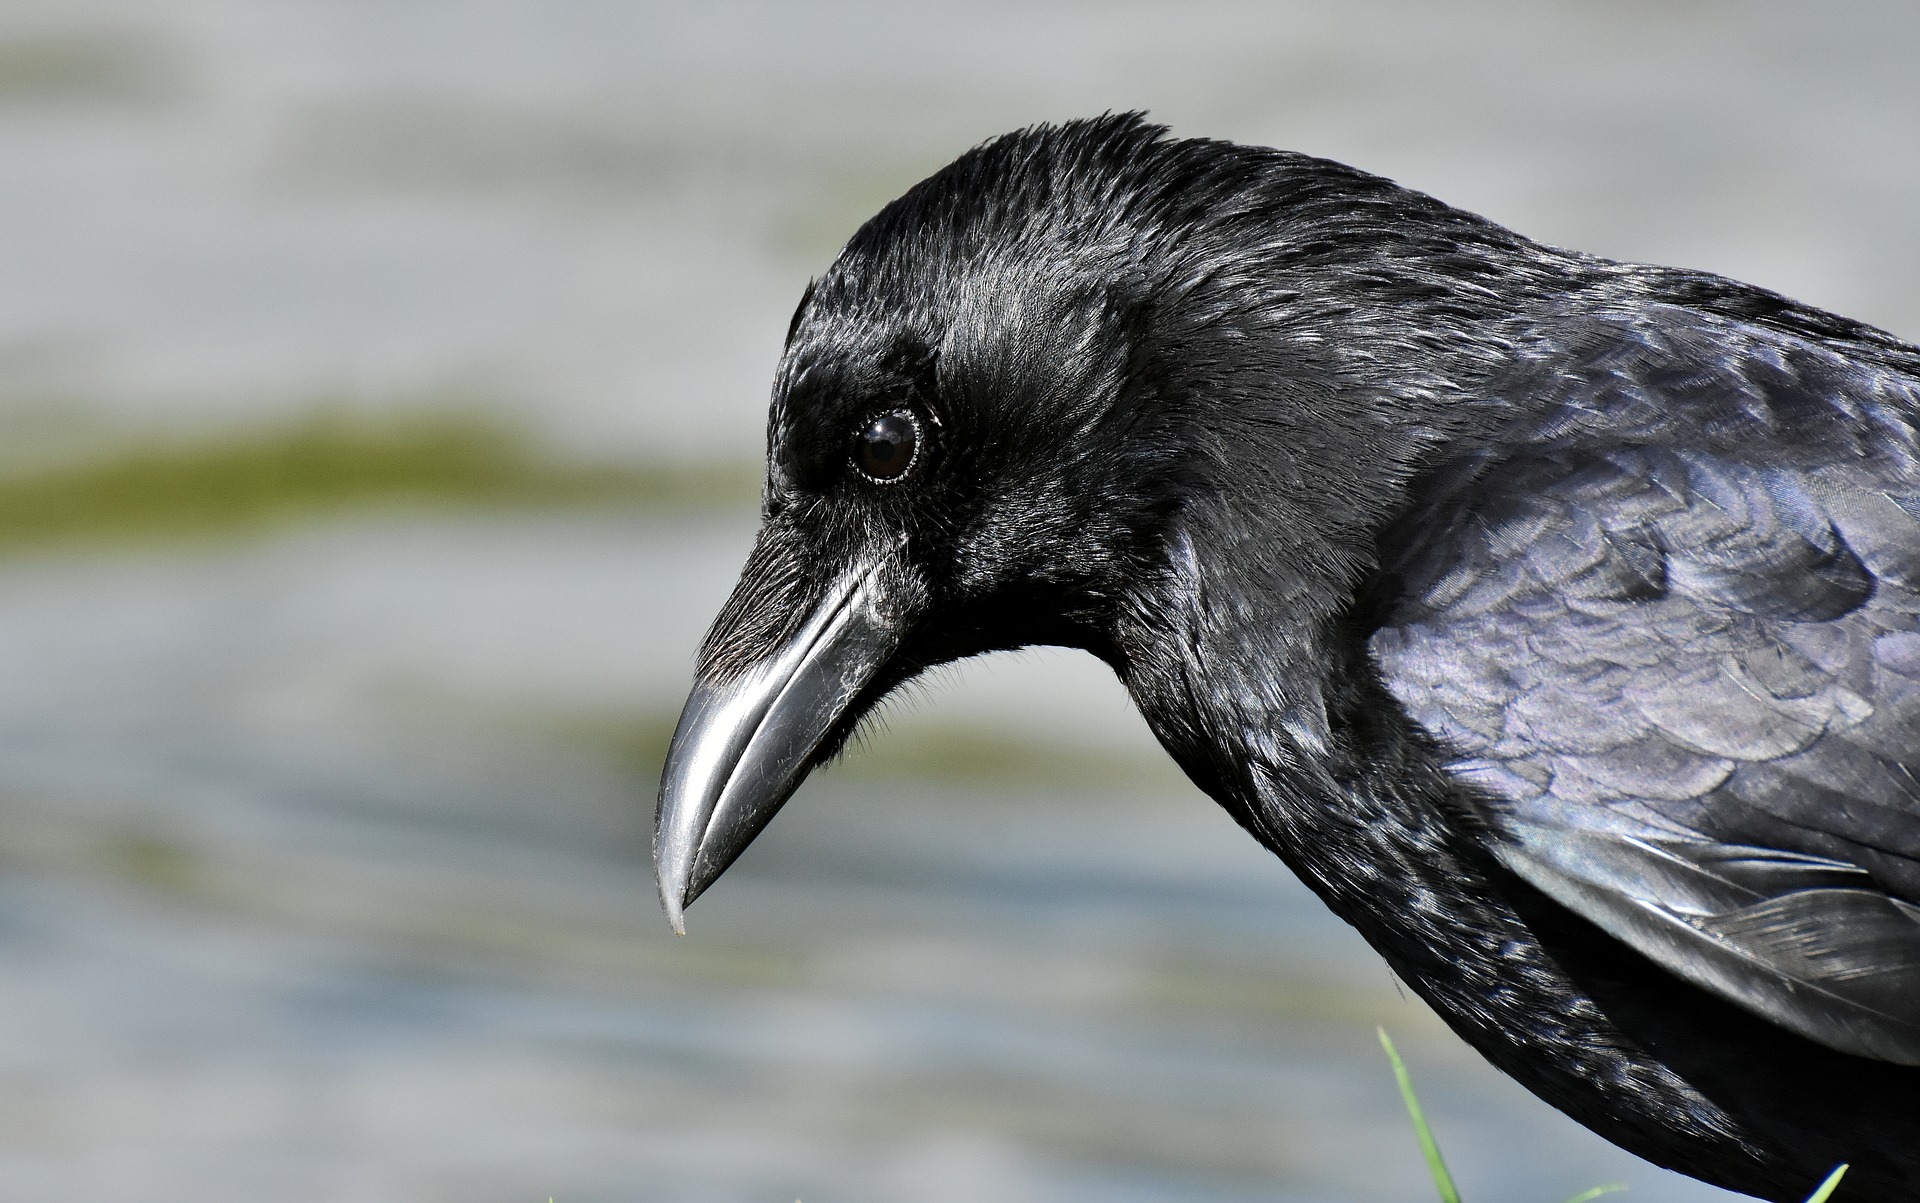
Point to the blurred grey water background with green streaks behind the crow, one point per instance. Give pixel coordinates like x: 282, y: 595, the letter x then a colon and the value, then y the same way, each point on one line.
x: 381, y: 389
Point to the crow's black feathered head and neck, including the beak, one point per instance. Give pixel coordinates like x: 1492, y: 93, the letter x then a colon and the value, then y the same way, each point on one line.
x: 1036, y: 398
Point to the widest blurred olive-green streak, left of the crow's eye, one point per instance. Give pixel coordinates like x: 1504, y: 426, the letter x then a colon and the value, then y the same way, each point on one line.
x: 243, y: 481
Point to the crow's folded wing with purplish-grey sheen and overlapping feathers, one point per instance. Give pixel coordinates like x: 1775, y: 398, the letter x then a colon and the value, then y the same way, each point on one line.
x: 1671, y: 628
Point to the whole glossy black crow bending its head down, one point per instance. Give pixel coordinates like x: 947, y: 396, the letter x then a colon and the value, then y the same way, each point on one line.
x: 1554, y: 619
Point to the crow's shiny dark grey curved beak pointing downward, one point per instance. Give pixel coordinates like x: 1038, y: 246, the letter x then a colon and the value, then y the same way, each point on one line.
x: 746, y: 743
